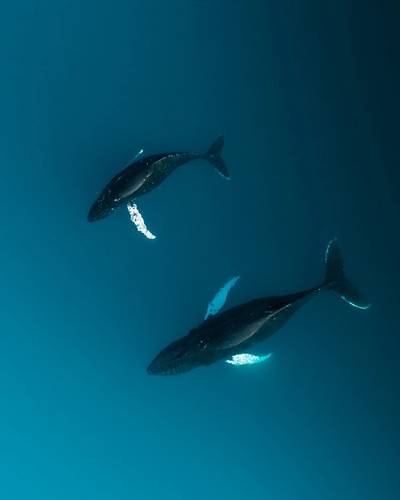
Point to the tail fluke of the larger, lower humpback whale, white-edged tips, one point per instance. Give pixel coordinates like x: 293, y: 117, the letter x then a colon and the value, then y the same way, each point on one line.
x: 336, y: 280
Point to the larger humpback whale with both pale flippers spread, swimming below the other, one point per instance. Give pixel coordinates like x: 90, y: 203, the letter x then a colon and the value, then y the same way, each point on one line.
x: 231, y: 335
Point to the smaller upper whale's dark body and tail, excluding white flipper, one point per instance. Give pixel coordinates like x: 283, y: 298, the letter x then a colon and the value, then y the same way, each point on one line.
x: 146, y: 173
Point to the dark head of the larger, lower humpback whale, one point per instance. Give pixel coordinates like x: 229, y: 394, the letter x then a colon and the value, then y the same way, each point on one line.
x: 180, y: 356
